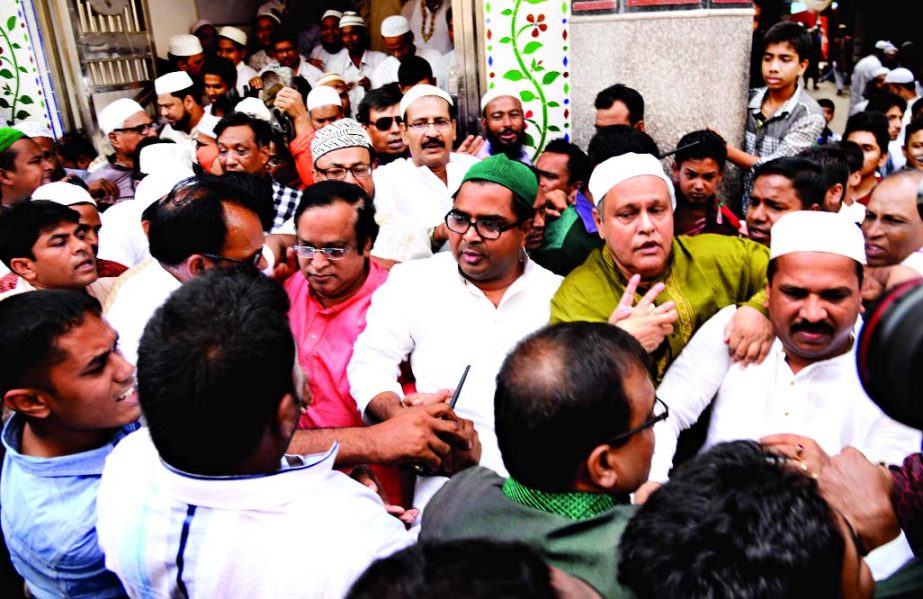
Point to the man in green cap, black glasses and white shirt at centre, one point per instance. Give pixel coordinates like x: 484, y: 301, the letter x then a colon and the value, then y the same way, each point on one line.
x: 466, y: 307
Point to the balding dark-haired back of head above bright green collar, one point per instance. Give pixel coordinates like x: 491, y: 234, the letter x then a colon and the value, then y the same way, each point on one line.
x: 563, y: 382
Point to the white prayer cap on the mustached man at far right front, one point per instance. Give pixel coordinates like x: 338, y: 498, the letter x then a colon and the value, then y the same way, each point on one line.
x: 816, y: 231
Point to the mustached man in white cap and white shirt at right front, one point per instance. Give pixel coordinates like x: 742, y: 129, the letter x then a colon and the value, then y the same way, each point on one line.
x: 808, y: 385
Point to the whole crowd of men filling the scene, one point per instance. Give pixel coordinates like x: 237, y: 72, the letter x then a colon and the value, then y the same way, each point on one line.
x: 294, y: 338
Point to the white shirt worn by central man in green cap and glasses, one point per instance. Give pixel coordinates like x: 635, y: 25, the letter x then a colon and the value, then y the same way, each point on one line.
x: 428, y: 312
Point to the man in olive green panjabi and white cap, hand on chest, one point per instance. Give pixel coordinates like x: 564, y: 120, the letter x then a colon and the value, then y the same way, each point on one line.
x: 684, y: 280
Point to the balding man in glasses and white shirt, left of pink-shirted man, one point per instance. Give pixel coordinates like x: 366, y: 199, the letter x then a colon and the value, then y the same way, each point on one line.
x: 203, y: 223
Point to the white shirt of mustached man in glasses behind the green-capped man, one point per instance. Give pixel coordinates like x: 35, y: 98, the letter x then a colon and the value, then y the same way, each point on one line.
x: 409, y: 200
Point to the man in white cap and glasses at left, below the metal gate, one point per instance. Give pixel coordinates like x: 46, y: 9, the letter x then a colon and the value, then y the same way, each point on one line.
x: 125, y: 123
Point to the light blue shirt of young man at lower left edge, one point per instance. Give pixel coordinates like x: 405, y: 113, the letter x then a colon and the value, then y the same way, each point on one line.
x: 48, y: 514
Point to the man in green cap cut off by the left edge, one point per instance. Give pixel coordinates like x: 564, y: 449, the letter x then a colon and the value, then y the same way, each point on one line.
x: 23, y: 167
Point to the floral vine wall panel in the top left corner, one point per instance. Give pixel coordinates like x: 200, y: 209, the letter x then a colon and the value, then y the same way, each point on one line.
x: 25, y: 86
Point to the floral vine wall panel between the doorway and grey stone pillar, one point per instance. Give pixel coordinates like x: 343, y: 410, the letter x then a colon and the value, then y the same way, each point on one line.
x: 527, y: 51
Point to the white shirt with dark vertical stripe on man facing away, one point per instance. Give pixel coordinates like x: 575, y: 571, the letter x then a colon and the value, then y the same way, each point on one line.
x: 302, y: 531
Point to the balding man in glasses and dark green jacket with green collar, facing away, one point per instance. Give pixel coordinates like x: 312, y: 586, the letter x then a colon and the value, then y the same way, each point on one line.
x: 574, y: 410
